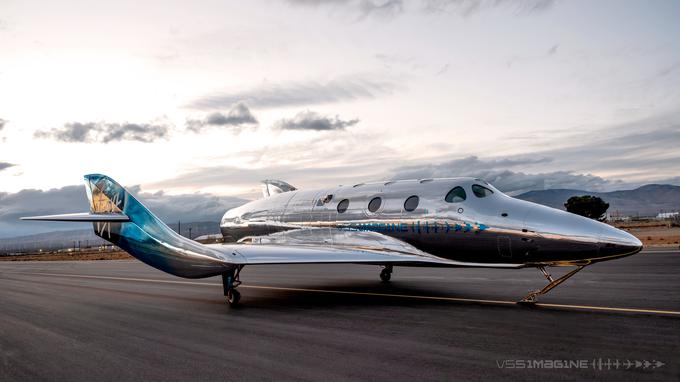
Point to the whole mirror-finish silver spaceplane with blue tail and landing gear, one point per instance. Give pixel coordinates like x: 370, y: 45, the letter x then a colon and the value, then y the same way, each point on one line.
x: 454, y: 222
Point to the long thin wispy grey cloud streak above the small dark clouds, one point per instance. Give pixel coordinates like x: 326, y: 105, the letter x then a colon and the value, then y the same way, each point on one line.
x: 271, y: 95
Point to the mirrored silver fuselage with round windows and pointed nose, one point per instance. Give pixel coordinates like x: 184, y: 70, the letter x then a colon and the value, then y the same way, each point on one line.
x: 462, y: 219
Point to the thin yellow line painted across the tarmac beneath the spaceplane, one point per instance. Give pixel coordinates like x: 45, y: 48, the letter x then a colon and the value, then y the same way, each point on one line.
x: 431, y: 298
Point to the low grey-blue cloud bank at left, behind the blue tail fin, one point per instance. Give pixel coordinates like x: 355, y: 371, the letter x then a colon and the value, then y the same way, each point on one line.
x: 170, y: 208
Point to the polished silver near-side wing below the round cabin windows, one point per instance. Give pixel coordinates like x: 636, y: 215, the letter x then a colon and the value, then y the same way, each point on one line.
x: 319, y: 245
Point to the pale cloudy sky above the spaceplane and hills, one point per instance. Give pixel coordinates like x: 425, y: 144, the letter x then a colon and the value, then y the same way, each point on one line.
x: 194, y: 103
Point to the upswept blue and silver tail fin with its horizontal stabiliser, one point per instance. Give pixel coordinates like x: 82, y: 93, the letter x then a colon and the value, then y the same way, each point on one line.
x: 121, y: 219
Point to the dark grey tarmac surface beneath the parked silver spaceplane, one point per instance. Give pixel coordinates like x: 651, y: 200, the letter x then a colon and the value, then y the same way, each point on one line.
x: 122, y: 320
